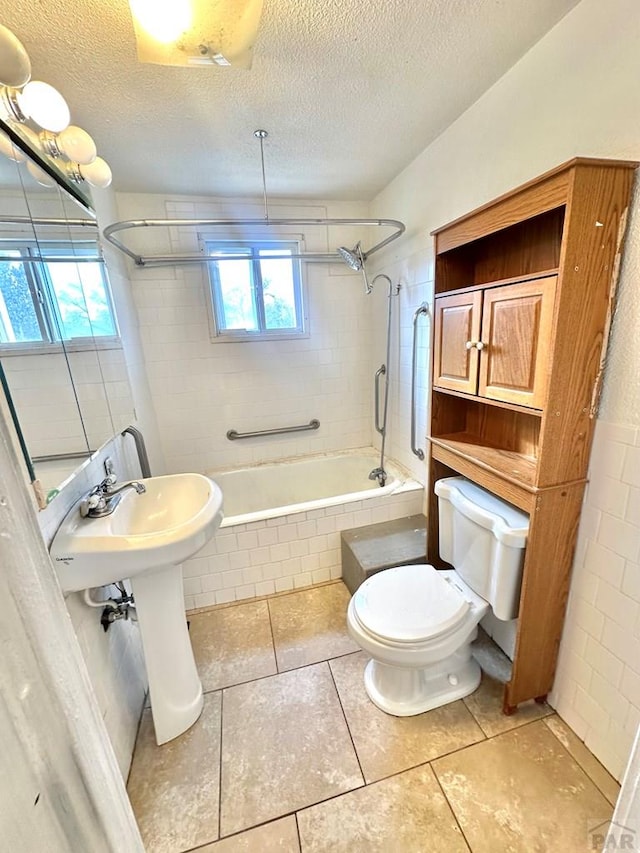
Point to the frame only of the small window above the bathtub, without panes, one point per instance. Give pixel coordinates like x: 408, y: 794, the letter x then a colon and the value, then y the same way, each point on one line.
x: 250, y: 247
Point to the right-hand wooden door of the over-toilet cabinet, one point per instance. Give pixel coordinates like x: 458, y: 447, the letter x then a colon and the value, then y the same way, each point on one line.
x: 516, y: 337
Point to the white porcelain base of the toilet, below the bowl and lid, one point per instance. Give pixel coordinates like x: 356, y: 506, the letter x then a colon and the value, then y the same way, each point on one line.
x: 406, y: 691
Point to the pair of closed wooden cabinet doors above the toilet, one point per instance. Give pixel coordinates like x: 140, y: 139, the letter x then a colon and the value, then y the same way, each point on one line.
x: 494, y: 342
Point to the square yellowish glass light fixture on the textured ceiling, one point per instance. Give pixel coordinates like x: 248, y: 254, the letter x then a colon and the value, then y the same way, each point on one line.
x: 196, y: 32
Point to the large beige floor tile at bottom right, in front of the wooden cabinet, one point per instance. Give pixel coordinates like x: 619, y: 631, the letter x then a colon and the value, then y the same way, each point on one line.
x: 522, y: 792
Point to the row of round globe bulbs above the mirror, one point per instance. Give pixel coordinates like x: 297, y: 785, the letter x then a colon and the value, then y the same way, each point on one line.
x: 23, y: 100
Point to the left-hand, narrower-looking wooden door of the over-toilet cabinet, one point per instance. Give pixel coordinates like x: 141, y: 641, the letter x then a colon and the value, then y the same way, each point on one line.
x: 457, y: 323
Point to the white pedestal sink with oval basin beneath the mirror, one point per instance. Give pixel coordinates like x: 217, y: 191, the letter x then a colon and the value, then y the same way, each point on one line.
x: 146, y: 539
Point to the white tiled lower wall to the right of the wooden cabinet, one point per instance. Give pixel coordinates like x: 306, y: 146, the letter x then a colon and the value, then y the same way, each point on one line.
x: 597, y: 689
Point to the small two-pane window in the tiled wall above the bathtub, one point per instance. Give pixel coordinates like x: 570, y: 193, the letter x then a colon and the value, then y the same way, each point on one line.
x: 256, y: 289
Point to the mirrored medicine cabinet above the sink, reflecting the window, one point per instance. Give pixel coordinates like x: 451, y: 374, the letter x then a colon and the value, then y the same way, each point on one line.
x: 63, y: 366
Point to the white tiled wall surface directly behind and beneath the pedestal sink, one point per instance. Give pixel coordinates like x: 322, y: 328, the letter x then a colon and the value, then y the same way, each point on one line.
x: 114, y: 659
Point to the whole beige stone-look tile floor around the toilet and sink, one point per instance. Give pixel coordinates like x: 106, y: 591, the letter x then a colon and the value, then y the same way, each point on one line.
x: 290, y: 755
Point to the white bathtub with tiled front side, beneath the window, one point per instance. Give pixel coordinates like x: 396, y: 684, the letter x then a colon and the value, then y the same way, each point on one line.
x: 282, y: 523
